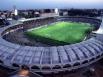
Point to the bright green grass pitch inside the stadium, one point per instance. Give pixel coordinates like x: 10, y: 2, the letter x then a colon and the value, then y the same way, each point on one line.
x: 64, y: 32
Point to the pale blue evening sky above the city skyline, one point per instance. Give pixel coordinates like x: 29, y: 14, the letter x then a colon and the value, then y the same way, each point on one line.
x: 39, y: 4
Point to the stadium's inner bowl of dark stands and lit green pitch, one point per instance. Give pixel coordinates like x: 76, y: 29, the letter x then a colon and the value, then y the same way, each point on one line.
x: 51, y: 31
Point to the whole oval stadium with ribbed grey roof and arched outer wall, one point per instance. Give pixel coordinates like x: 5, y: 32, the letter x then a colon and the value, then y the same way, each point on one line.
x: 50, y: 44
